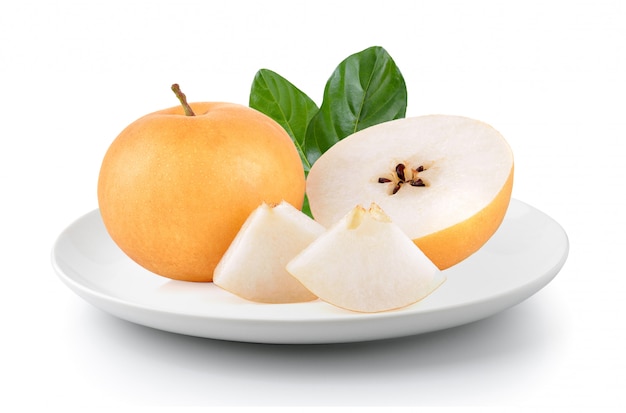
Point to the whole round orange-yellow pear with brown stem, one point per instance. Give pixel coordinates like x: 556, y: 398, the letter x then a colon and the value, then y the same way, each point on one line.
x: 176, y: 185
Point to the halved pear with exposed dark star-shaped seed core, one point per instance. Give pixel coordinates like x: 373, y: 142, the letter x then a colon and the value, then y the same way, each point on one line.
x: 445, y: 180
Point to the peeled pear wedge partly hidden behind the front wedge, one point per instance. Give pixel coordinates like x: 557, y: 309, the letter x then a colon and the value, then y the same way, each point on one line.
x: 253, y: 266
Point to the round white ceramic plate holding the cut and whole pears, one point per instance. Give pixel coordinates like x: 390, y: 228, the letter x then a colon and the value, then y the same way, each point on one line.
x: 524, y: 255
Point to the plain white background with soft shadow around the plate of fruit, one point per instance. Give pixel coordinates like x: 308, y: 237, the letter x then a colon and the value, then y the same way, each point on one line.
x: 549, y: 75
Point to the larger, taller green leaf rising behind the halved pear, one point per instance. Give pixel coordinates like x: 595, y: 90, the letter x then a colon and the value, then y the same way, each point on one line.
x: 367, y: 88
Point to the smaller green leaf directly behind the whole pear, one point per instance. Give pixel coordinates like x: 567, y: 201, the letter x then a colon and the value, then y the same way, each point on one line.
x: 279, y: 99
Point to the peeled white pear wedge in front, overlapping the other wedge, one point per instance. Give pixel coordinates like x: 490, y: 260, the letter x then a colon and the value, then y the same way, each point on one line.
x: 366, y: 263
